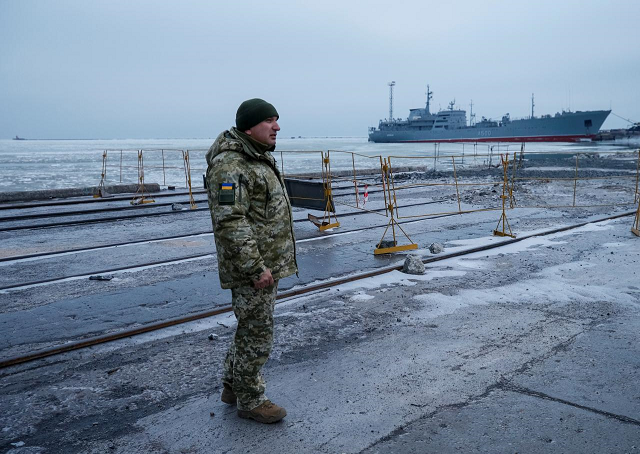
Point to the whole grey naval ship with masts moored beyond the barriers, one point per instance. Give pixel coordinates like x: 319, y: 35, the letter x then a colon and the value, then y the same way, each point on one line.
x: 450, y: 125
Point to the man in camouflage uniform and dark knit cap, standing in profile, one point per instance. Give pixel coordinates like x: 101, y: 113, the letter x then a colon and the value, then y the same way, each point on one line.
x: 253, y: 227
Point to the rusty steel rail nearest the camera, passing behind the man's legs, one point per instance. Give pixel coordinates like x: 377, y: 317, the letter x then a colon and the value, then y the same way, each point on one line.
x: 72, y: 346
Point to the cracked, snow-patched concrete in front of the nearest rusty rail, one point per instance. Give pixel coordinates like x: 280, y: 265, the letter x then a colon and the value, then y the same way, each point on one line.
x: 470, y: 359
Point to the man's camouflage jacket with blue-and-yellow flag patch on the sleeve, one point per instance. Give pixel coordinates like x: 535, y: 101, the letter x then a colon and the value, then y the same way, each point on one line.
x: 250, y: 211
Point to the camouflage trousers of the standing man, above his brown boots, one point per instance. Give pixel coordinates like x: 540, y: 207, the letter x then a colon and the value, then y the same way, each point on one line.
x: 252, y: 344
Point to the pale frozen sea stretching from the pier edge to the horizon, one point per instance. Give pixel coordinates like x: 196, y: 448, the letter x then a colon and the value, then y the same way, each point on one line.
x: 52, y: 164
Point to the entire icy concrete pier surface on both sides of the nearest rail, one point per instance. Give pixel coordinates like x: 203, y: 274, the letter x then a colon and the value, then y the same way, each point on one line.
x: 530, y: 347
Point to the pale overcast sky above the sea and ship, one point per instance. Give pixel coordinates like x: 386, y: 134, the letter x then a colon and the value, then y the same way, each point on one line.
x: 160, y: 69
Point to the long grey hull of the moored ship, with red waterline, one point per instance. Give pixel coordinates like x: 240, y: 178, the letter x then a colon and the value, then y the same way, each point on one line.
x: 568, y: 127
